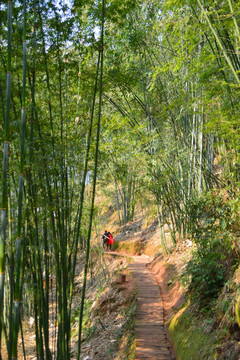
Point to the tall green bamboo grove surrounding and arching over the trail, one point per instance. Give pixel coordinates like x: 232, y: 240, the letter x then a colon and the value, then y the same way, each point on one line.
x: 142, y: 95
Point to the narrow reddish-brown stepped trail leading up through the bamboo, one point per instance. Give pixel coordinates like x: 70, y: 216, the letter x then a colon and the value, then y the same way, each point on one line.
x: 151, y: 336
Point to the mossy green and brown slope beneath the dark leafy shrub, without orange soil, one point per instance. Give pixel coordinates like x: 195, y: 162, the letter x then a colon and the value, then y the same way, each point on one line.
x: 208, y: 331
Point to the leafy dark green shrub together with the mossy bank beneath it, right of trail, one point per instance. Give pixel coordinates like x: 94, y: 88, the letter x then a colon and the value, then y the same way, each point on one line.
x: 207, y: 328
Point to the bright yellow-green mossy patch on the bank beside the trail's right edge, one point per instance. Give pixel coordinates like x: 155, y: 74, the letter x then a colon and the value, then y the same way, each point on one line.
x: 192, y: 336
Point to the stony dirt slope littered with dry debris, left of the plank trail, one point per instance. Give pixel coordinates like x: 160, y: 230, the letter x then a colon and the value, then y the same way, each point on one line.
x: 109, y: 319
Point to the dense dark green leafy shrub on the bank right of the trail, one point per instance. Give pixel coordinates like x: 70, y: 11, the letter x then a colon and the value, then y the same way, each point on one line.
x: 212, y: 220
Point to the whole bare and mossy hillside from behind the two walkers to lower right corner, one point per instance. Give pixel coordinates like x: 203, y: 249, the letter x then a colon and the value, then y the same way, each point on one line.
x: 197, y: 329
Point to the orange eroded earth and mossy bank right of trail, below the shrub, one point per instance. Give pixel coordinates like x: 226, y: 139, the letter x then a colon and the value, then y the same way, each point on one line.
x: 197, y: 332
